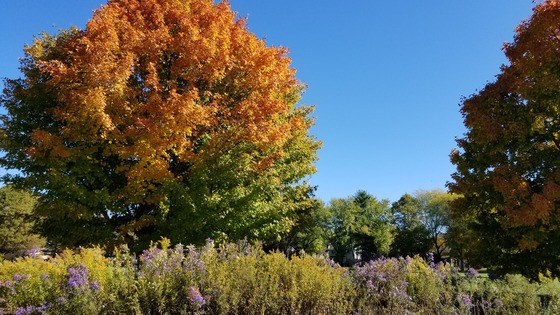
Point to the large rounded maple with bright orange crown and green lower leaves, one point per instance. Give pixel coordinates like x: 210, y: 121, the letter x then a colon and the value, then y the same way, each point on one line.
x: 162, y: 116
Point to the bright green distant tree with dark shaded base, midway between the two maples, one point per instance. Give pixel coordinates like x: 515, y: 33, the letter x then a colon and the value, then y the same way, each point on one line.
x: 360, y: 224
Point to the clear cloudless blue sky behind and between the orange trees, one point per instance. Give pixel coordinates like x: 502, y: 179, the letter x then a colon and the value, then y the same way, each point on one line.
x: 386, y: 77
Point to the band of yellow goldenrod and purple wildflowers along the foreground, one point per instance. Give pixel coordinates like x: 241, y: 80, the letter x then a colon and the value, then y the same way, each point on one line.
x: 243, y: 279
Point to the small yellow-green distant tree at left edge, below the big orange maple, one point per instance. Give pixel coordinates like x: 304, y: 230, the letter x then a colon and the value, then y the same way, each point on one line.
x: 17, y: 222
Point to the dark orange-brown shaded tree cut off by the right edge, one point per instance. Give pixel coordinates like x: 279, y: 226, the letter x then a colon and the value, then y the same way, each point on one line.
x: 508, y: 163
